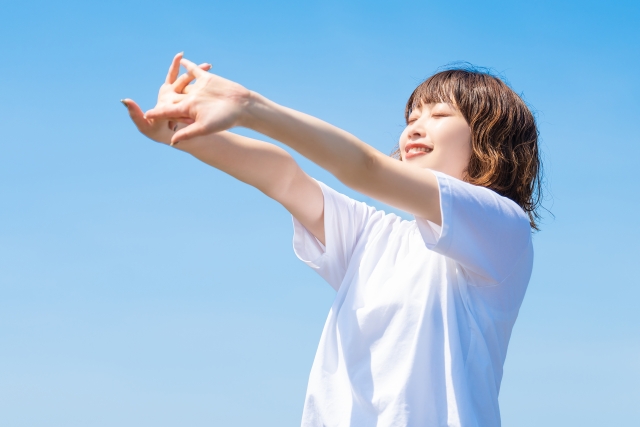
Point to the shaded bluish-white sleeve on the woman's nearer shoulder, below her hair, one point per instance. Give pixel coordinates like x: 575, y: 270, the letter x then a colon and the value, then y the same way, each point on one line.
x: 481, y: 230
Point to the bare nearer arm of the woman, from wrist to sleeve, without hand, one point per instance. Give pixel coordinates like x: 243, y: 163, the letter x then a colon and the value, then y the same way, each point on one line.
x: 353, y: 162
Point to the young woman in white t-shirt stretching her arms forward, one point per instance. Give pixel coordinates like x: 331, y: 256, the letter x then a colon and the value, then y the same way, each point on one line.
x: 418, y: 332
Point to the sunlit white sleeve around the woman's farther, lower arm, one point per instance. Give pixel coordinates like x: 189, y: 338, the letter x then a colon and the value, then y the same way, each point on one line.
x: 344, y: 222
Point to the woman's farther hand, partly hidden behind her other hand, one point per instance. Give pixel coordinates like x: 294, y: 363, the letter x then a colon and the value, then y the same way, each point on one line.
x: 173, y: 89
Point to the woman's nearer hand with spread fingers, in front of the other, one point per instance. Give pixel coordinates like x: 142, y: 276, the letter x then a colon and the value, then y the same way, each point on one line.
x: 213, y: 104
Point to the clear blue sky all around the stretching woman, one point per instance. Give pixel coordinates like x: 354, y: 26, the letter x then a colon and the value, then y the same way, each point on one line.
x: 140, y: 287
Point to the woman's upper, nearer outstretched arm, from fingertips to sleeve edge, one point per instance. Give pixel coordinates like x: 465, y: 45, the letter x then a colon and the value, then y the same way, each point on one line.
x: 216, y: 104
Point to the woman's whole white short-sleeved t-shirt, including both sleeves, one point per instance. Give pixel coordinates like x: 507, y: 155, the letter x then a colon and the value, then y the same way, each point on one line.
x: 418, y: 332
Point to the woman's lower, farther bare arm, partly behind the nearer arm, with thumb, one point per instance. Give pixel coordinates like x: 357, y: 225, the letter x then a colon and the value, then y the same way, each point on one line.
x: 265, y: 166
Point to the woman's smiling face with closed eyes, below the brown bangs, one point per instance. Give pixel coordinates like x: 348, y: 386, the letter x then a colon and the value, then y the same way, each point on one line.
x: 437, y: 137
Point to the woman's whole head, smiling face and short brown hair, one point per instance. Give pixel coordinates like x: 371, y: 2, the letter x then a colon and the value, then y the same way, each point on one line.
x: 469, y: 124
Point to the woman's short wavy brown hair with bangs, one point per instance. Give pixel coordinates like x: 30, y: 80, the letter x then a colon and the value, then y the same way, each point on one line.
x: 504, y: 136
